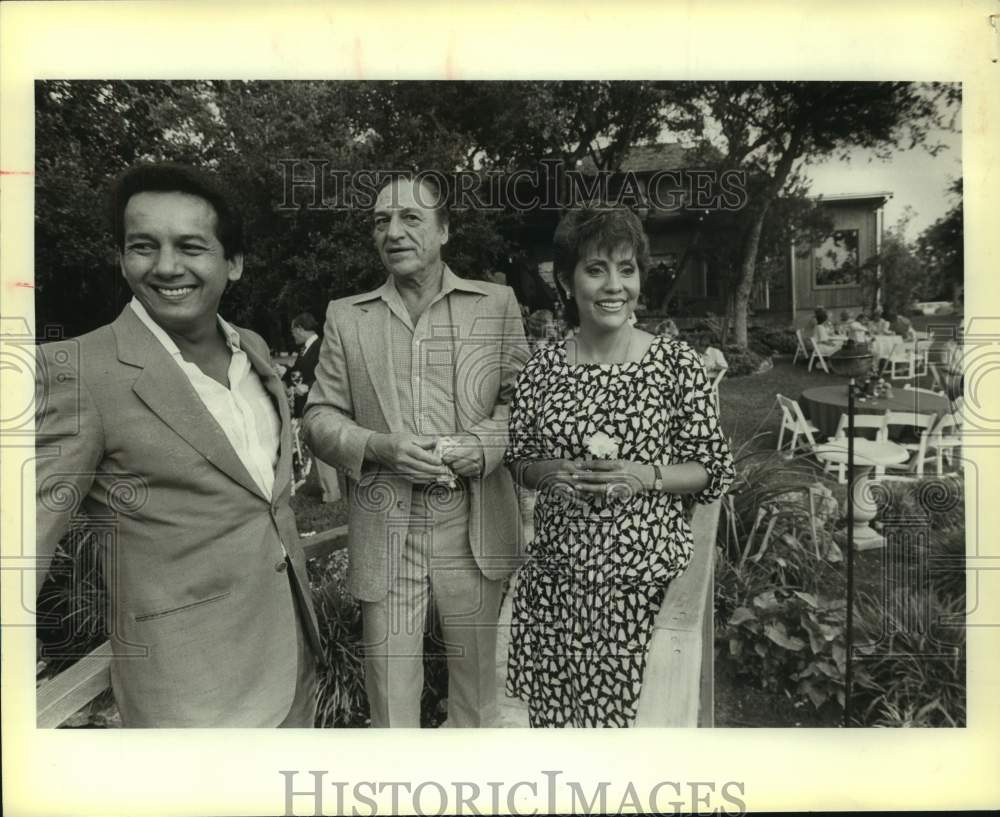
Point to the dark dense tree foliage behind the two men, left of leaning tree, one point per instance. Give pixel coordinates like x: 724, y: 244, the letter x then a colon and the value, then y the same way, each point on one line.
x: 299, y: 257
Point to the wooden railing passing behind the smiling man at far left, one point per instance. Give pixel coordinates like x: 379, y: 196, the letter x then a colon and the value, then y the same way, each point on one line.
x: 60, y: 697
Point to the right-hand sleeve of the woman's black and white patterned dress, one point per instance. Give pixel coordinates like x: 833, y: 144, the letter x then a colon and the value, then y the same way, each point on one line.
x: 694, y: 430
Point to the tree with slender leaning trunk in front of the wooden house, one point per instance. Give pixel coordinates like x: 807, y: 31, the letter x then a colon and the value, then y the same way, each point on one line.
x: 771, y: 129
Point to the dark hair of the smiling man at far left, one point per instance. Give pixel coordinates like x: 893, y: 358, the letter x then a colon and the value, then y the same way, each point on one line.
x: 171, y: 177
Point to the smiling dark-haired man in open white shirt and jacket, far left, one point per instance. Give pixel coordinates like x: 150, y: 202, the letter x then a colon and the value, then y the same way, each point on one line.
x: 172, y: 423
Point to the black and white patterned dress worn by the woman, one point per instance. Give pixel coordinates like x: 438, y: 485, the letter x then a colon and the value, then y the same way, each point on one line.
x: 586, y: 598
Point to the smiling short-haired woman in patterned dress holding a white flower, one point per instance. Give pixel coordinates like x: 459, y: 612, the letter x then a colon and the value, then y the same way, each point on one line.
x: 610, y: 427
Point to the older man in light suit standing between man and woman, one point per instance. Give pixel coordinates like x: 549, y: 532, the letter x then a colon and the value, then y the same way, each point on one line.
x: 425, y: 358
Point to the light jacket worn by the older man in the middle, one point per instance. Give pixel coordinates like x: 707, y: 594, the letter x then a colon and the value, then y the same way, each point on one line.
x: 354, y: 396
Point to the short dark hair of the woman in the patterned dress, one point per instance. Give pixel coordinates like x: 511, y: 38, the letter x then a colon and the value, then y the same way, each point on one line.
x: 602, y: 228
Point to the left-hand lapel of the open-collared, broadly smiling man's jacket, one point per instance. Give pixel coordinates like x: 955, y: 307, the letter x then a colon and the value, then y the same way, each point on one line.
x: 167, y: 392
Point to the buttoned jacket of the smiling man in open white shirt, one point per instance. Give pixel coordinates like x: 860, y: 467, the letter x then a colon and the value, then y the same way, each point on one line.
x: 203, y: 620
